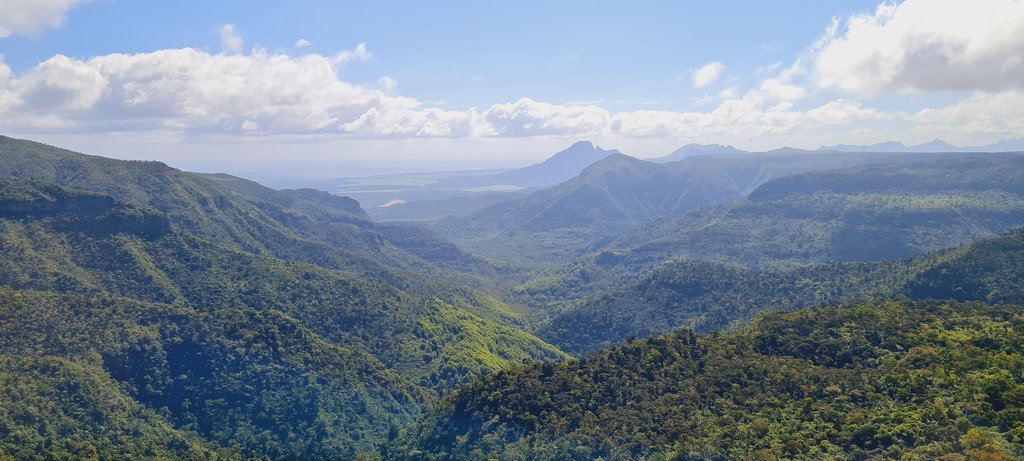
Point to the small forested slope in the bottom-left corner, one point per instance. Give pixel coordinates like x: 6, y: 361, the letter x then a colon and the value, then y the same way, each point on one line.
x: 54, y: 408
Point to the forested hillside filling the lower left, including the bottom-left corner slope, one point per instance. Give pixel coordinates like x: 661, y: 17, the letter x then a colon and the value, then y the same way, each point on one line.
x: 257, y: 383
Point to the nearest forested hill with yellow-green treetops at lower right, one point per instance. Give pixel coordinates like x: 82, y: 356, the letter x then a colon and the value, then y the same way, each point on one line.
x: 928, y: 381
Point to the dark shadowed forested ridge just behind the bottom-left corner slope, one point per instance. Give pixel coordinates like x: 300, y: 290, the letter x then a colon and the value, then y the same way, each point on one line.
x: 259, y: 383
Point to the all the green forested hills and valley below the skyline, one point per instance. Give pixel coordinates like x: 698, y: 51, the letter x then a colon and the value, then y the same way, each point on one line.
x: 149, y: 313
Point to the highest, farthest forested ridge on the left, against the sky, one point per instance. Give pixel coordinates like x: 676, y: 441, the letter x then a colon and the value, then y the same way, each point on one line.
x: 302, y: 226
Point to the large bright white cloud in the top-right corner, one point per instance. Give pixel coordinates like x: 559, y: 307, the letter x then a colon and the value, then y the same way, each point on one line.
x: 925, y: 46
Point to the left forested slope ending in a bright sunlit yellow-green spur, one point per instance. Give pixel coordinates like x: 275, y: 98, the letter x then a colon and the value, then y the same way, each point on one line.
x: 416, y: 336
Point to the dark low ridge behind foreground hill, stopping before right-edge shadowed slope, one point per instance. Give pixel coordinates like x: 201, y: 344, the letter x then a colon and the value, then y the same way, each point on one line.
x: 707, y: 297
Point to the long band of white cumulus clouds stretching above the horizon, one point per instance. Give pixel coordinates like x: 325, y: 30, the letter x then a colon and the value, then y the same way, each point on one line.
x: 194, y: 92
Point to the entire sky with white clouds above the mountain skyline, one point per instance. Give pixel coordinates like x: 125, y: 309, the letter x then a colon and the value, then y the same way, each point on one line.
x: 334, y: 89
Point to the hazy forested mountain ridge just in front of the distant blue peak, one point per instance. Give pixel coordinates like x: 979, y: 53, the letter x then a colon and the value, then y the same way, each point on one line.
x: 621, y: 193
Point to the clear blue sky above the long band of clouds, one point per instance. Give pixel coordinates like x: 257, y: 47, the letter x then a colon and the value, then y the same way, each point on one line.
x: 476, y: 54
